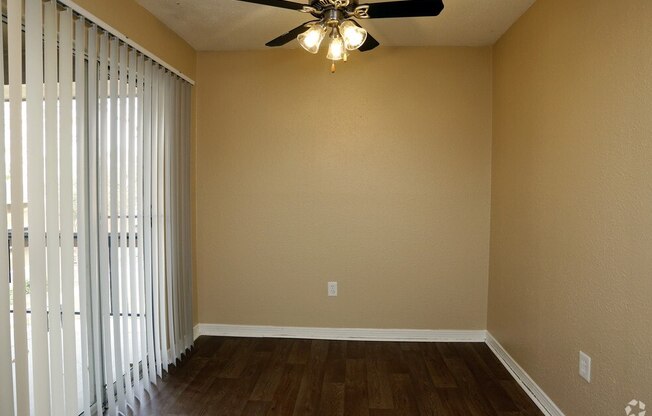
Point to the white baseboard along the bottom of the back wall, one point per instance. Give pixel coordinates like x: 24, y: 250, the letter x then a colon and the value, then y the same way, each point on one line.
x: 351, y: 334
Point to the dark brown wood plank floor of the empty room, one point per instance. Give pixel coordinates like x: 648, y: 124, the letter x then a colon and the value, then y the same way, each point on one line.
x: 290, y: 377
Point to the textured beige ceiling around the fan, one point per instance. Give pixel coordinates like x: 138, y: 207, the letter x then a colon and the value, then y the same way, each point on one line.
x: 220, y: 25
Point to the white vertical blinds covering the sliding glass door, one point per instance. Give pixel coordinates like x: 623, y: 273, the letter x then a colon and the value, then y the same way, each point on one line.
x: 95, y: 272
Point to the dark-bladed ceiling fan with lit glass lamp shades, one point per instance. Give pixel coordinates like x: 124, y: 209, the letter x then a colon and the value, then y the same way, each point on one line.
x: 336, y: 19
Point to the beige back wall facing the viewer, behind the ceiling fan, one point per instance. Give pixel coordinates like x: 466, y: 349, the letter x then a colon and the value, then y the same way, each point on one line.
x: 377, y: 177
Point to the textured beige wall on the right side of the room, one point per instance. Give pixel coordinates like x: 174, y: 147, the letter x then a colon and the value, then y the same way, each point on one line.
x: 571, y: 233
